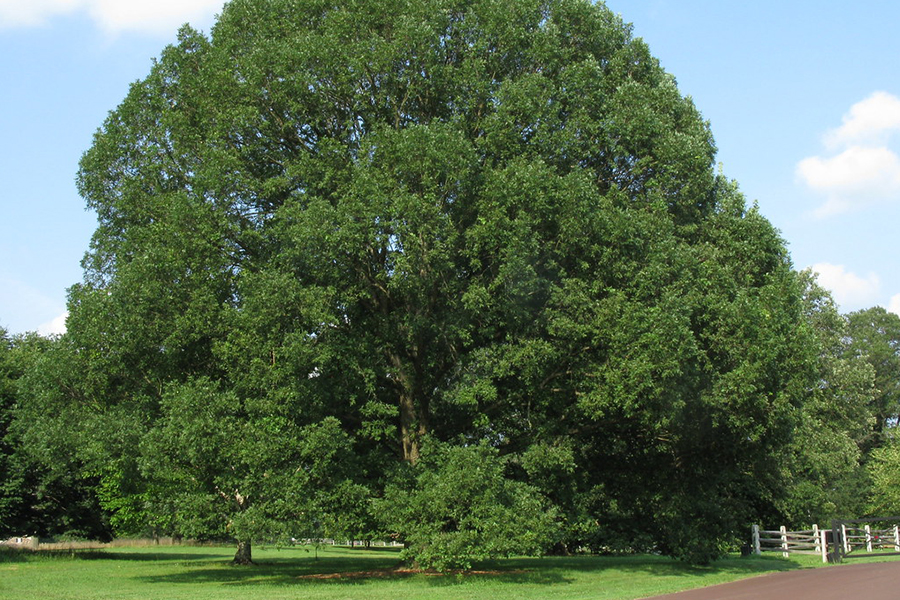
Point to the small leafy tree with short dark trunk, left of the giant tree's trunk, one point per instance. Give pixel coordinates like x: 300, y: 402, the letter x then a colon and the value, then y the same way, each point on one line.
x: 225, y: 467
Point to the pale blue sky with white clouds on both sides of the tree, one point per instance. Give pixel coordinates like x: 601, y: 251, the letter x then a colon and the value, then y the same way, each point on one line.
x: 803, y: 98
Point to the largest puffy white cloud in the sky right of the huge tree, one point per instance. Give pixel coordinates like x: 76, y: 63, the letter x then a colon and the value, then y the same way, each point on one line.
x: 866, y: 169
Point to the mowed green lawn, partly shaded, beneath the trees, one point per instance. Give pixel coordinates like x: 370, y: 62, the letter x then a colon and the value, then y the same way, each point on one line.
x: 203, y: 573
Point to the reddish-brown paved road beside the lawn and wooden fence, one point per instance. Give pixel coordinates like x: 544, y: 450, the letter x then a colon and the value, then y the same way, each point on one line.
x: 867, y: 581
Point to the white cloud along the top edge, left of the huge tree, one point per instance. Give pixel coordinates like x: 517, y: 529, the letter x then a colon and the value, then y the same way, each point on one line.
x: 114, y: 16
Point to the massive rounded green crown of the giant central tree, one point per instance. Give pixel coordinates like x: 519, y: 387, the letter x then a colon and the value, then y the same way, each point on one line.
x: 478, y: 221
